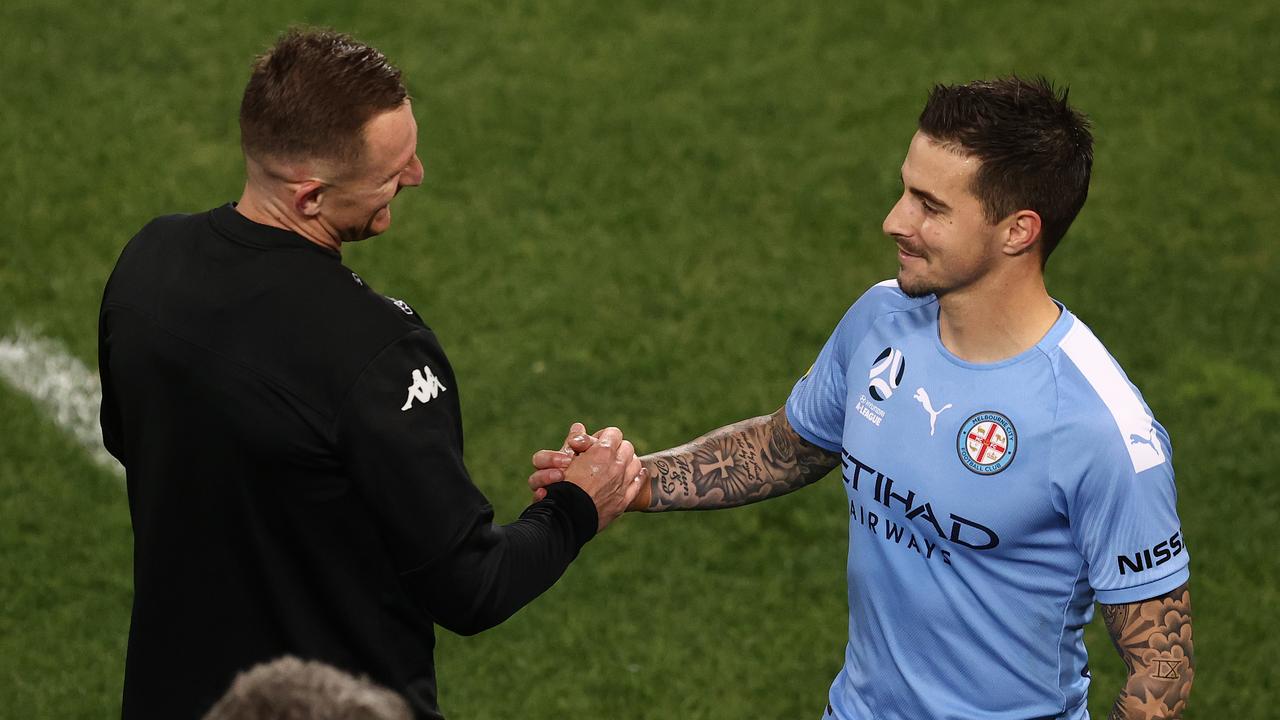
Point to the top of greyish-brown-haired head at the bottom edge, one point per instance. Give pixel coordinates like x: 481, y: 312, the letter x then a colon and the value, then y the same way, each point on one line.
x: 294, y: 690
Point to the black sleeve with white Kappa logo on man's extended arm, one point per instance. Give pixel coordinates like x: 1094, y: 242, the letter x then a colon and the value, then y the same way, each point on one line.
x: 401, y: 438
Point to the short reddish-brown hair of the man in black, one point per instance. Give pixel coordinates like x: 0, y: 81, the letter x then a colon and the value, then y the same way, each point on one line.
x: 310, y: 95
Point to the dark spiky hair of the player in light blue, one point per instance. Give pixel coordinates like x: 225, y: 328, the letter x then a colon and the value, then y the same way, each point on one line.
x: 1036, y: 151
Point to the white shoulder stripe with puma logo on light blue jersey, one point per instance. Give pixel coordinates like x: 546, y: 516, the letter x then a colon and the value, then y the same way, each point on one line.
x: 1133, y: 422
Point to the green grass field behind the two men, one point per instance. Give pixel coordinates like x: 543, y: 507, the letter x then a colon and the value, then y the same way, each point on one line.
x: 652, y: 215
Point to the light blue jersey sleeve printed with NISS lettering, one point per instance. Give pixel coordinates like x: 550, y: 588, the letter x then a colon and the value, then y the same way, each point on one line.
x: 1126, y: 523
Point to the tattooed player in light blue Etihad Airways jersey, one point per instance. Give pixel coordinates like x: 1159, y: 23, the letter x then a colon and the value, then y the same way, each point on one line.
x: 1002, y: 472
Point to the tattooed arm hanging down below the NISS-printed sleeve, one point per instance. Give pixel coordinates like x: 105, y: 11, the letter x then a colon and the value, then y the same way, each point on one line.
x: 1154, y: 639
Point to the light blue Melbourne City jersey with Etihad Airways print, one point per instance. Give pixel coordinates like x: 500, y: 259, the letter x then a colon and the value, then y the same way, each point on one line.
x: 989, y: 507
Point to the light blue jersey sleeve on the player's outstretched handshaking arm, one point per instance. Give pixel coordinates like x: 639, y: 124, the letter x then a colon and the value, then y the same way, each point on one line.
x: 816, y: 408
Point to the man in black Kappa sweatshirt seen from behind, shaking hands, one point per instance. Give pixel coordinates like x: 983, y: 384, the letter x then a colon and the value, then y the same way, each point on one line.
x: 294, y: 440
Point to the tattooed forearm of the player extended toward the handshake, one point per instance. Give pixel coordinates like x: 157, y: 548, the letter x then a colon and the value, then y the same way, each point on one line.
x: 735, y: 466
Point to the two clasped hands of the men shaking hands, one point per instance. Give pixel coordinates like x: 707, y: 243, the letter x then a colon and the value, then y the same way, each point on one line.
x: 602, y: 464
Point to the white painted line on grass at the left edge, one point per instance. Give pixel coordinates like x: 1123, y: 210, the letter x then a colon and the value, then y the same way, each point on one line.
x: 60, y: 384
